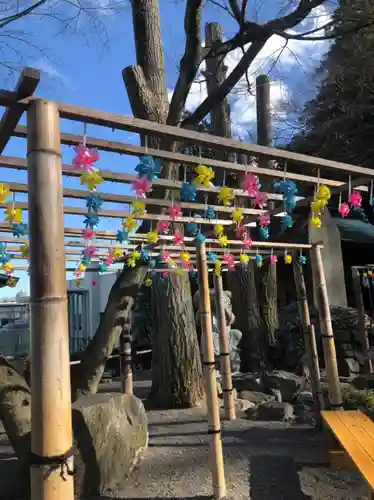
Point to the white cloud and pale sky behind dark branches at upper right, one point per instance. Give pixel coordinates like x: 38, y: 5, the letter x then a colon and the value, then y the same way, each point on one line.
x: 290, y: 66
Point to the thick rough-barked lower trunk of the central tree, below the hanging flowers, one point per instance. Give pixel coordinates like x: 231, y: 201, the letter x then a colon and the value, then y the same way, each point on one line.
x: 176, y: 365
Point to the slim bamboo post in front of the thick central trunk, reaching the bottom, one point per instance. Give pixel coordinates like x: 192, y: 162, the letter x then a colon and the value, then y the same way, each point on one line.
x: 214, y: 424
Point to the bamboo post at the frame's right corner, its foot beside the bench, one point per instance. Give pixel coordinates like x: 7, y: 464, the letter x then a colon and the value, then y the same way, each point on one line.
x: 327, y: 333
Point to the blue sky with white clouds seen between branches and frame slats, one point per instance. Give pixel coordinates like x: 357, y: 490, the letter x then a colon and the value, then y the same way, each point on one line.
x: 76, y: 69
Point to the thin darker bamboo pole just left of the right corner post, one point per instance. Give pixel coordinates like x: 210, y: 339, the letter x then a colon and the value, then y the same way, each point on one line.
x: 309, y: 341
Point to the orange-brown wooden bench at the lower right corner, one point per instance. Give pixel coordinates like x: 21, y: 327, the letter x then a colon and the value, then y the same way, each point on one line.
x: 351, y: 443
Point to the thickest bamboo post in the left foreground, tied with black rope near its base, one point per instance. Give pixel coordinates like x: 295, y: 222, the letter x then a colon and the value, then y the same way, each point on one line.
x: 51, y: 426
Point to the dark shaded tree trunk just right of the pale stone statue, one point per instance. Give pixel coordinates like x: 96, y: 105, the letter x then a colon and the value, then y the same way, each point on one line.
x: 248, y: 318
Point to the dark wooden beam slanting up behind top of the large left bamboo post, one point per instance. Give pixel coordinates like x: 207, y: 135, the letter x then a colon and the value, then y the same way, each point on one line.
x: 26, y: 86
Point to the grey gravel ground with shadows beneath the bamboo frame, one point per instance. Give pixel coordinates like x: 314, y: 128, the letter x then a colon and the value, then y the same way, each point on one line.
x: 263, y: 461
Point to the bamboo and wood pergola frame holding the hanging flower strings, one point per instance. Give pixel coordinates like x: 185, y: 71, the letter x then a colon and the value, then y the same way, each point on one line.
x: 48, y: 289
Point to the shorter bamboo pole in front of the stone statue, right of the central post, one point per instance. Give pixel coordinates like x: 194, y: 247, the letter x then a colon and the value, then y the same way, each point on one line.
x: 224, y: 352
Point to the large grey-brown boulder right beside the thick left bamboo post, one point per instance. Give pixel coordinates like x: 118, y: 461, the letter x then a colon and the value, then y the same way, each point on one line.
x: 110, y: 437
